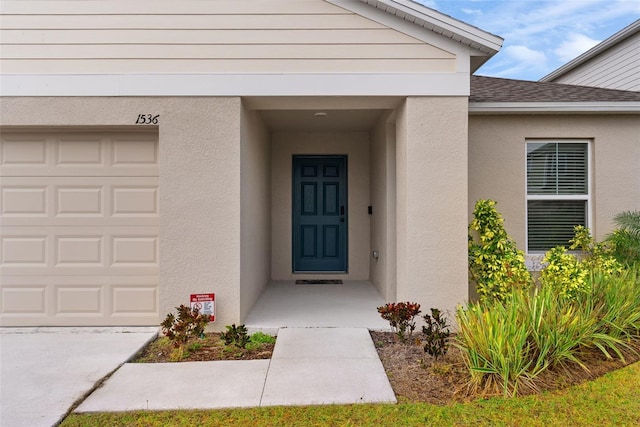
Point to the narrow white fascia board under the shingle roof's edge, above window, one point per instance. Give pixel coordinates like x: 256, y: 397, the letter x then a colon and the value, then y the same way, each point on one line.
x: 632, y: 107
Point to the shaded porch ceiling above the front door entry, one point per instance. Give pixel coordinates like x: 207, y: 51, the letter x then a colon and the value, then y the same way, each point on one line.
x: 321, y: 120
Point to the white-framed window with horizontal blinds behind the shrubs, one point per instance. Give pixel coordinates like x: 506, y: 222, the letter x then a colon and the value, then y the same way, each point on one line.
x: 557, y: 192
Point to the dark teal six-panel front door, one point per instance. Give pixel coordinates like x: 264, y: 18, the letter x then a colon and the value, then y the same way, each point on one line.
x: 319, y: 214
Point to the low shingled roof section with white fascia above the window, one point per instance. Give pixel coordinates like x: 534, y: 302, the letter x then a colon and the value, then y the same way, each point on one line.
x: 491, y: 94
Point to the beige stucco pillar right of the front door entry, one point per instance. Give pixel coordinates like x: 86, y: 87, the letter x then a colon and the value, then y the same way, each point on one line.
x: 432, y: 201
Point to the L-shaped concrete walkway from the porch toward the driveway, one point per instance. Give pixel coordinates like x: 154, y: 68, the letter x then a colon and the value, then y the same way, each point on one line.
x: 309, y: 366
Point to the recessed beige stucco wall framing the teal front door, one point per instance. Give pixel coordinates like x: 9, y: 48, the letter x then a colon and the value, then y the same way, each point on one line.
x: 355, y: 145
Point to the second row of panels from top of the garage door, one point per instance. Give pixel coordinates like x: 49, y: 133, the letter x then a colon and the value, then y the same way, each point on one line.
x: 101, y: 201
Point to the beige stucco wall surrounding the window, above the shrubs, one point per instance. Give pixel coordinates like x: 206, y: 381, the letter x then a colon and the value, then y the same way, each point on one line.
x: 497, y: 163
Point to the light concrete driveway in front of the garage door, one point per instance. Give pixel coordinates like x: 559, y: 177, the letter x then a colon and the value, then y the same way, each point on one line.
x: 44, y: 371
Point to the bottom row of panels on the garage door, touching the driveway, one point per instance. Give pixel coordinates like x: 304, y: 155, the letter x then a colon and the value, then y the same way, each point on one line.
x: 79, y: 300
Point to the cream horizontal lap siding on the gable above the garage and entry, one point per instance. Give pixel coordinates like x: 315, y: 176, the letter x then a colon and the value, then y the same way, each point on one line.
x: 239, y: 36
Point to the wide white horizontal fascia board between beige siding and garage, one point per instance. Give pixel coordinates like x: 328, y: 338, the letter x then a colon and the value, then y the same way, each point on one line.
x: 380, y: 84
